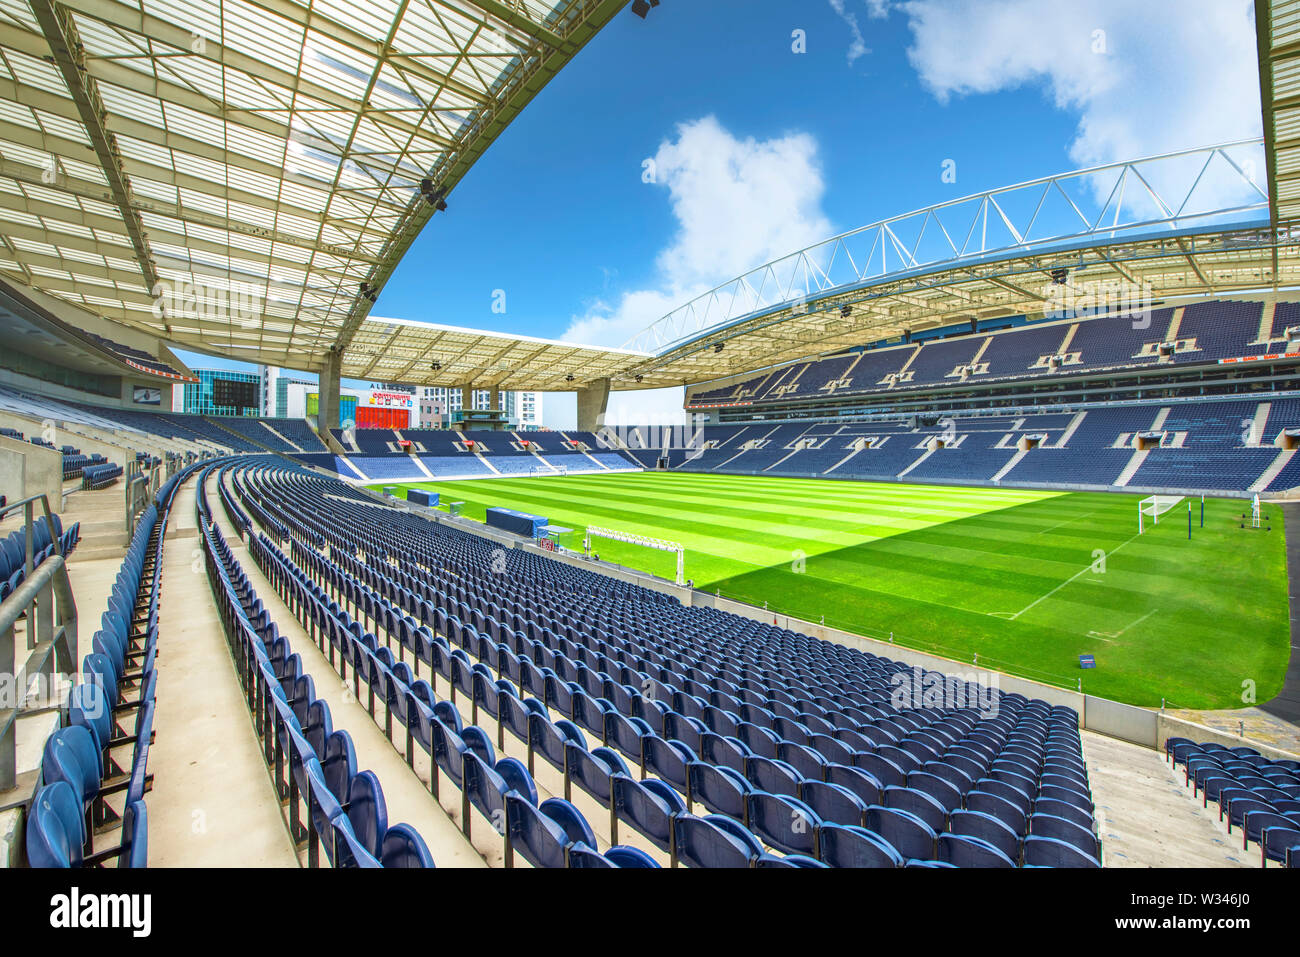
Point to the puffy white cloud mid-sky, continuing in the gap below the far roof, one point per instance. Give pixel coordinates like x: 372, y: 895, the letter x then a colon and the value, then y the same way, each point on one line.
x: 739, y: 203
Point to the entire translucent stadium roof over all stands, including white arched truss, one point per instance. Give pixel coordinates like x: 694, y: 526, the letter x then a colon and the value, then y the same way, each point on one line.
x: 228, y: 174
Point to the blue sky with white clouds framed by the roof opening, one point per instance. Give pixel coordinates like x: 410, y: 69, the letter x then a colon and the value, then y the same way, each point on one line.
x: 761, y: 150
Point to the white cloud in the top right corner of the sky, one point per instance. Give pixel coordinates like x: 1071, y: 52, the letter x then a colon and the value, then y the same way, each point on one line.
x: 1145, y: 79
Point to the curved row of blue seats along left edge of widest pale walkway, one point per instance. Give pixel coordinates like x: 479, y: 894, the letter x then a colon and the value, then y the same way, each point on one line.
x: 110, y: 711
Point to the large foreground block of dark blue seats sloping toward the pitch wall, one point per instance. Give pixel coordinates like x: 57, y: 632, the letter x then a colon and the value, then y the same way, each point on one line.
x: 796, y: 748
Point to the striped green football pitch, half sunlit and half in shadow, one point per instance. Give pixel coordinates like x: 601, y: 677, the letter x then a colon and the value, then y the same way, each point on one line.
x: 1026, y: 581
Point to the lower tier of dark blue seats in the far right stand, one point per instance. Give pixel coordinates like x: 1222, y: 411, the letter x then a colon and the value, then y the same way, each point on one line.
x: 1207, y: 447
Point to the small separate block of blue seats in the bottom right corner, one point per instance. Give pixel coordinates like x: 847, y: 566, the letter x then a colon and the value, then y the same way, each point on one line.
x: 1259, y: 795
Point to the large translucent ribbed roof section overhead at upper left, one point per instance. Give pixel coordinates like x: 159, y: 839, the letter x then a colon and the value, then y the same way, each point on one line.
x: 228, y: 174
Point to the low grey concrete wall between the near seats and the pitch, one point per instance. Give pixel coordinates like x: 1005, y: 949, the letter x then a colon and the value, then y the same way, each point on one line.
x: 1142, y: 726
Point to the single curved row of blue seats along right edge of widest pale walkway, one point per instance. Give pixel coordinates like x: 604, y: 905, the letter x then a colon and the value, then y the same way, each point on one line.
x: 315, y: 765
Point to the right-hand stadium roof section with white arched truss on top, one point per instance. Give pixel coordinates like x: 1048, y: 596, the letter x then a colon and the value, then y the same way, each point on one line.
x: 1193, y: 223
